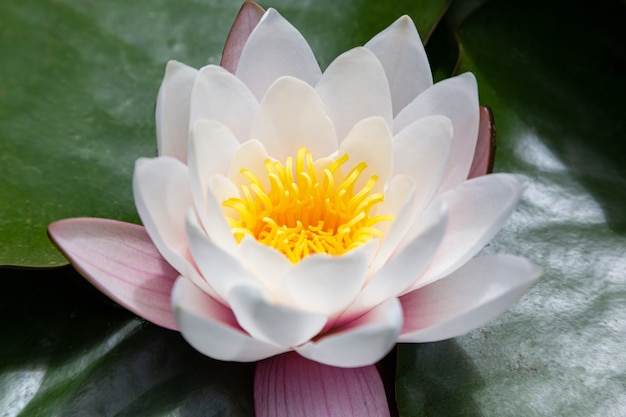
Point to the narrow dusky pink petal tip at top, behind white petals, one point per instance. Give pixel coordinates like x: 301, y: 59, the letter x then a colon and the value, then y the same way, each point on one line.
x: 246, y: 20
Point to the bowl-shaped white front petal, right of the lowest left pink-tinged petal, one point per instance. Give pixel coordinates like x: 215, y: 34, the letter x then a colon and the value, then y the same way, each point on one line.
x: 267, y: 321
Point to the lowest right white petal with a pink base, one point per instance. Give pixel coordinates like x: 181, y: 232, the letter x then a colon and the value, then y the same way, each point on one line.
x: 478, y: 292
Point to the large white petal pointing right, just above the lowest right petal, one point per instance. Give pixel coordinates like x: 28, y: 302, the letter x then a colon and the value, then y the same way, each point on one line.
x: 478, y: 209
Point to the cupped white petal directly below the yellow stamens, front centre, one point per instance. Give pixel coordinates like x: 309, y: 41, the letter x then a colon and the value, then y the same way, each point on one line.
x: 327, y: 284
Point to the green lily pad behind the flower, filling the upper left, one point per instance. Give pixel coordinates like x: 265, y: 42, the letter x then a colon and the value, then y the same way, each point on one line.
x: 78, y: 83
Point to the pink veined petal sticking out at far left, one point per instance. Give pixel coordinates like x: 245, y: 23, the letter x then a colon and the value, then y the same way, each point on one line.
x: 121, y: 261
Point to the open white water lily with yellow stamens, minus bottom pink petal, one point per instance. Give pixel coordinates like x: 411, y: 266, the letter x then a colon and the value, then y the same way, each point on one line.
x: 332, y: 214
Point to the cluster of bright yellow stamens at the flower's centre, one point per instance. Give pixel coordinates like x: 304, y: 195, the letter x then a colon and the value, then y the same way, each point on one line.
x: 302, y: 214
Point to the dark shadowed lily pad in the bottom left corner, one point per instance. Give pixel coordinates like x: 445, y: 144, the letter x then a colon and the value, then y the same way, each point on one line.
x: 71, y: 352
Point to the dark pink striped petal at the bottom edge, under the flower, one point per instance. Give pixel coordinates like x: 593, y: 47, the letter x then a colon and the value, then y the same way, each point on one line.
x: 289, y: 385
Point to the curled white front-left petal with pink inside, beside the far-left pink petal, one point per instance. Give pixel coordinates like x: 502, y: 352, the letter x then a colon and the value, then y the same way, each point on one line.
x: 211, y: 328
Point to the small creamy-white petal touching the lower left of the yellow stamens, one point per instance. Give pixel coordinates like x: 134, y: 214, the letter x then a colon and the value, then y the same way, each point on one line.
x: 268, y: 265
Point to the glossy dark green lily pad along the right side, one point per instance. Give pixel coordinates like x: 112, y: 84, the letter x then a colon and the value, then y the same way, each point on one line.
x: 554, y: 75
